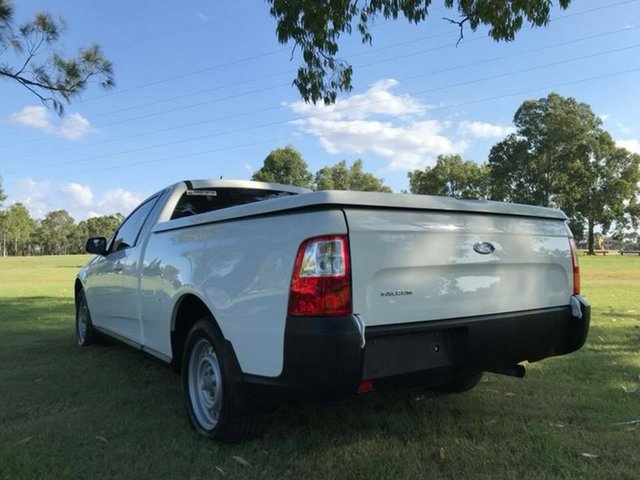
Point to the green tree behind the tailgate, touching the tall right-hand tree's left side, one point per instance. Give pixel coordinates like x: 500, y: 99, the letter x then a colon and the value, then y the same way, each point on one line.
x: 451, y: 176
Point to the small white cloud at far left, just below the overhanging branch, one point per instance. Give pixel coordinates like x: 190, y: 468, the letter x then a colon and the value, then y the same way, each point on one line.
x: 72, y: 127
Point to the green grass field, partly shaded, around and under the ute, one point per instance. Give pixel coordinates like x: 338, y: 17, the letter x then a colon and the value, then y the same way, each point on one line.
x: 112, y: 412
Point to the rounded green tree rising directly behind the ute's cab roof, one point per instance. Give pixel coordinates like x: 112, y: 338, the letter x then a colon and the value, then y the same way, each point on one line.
x: 286, y: 166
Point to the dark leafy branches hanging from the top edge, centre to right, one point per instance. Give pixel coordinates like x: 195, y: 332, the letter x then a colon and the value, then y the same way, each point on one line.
x: 315, y: 26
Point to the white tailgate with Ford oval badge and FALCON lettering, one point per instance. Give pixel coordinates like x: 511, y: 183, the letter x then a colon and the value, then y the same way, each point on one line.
x: 420, y: 265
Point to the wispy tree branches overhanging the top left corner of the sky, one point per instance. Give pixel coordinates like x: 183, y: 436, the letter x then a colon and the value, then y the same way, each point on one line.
x: 38, y: 65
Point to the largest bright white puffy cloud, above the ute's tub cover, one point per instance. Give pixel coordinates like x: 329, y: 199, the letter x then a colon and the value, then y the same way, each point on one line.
x: 405, y: 140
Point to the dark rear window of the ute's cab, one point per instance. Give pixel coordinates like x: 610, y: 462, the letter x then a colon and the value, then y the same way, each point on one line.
x: 202, y: 200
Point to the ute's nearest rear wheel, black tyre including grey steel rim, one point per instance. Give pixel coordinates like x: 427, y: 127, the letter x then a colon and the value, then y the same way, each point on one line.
x: 215, y: 404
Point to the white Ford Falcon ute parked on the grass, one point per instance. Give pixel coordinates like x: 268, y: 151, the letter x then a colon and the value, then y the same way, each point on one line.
x: 261, y: 293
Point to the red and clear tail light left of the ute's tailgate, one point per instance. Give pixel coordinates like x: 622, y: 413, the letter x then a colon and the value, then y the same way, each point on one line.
x: 321, y: 281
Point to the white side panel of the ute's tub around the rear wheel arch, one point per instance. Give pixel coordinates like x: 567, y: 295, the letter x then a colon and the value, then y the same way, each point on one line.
x: 241, y: 269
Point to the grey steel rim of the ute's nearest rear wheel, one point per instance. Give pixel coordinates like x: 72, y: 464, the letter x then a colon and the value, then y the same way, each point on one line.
x: 205, y: 384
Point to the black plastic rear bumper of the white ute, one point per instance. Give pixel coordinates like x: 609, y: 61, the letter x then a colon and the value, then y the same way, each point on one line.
x: 323, y: 355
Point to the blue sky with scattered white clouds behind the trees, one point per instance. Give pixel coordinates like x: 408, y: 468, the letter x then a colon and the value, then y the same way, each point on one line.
x: 204, y: 90
